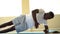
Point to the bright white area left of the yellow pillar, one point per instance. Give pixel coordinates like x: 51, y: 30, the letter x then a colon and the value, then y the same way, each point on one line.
x: 10, y: 8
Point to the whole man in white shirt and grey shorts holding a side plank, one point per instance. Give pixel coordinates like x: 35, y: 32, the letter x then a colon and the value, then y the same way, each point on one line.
x: 25, y: 22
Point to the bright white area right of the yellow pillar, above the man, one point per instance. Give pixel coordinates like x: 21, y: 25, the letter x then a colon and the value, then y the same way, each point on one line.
x: 47, y: 5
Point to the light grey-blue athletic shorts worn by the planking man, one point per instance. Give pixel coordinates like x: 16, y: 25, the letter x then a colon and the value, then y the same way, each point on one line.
x: 20, y: 23
